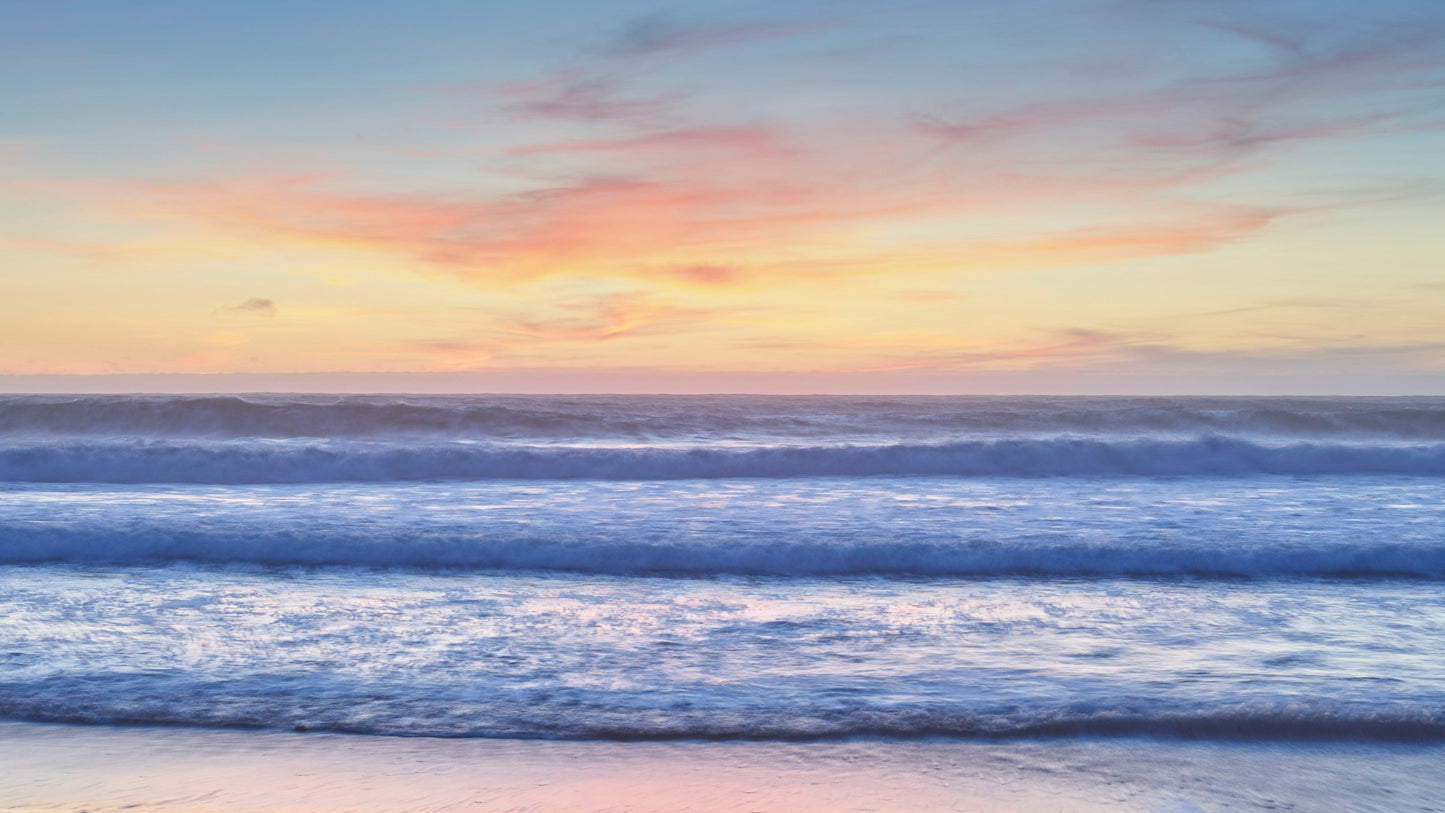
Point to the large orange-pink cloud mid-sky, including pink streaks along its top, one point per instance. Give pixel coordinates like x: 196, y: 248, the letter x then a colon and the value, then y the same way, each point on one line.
x: 699, y: 204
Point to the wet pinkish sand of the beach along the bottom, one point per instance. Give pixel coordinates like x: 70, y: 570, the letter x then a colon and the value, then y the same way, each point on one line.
x: 105, y: 769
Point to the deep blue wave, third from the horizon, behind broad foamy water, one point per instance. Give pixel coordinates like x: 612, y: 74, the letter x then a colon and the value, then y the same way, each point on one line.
x: 1050, y: 558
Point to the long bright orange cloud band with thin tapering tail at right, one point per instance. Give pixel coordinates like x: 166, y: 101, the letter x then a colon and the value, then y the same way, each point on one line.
x: 691, y: 229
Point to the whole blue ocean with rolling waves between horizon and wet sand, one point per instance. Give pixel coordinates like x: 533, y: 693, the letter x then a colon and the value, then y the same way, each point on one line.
x: 1015, y: 573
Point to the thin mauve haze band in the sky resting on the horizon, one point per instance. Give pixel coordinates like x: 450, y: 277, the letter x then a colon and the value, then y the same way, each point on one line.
x: 632, y: 382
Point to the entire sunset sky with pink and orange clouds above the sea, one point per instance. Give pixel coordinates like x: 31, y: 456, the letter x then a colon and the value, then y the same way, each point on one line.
x: 933, y: 197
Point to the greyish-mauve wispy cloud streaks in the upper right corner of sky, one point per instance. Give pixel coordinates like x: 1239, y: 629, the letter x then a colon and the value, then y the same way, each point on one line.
x: 1311, y: 83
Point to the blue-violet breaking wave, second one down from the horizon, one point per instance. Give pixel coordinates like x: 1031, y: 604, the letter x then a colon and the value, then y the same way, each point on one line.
x: 355, y: 461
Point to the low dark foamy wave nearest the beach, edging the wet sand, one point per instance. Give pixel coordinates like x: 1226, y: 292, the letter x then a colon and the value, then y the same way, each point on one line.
x: 427, y: 717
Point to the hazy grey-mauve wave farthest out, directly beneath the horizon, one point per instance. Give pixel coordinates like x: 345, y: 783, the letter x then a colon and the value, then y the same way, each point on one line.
x: 635, y: 418
